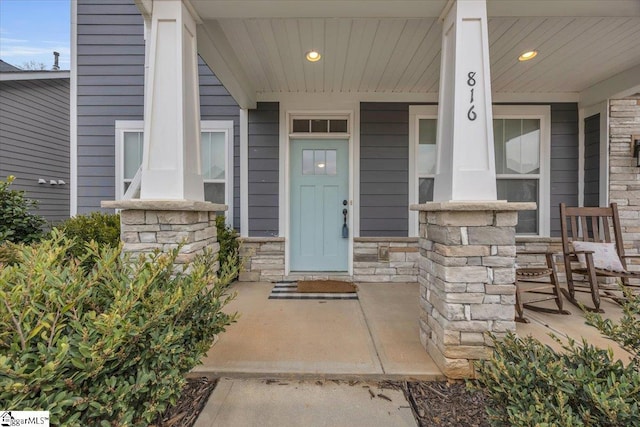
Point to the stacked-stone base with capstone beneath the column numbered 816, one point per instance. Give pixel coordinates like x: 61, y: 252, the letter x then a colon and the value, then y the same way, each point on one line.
x: 467, y: 276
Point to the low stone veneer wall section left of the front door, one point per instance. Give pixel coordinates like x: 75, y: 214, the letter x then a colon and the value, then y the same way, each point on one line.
x: 262, y: 259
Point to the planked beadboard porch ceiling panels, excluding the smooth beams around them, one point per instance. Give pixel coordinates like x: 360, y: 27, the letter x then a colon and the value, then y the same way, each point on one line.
x: 403, y: 54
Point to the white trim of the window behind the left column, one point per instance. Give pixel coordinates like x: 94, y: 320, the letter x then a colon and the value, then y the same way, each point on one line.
x: 225, y: 126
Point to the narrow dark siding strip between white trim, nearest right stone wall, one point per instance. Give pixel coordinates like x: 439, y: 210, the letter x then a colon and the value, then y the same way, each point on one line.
x: 592, y: 161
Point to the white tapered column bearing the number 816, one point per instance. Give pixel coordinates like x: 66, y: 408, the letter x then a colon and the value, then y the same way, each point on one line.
x: 466, y: 164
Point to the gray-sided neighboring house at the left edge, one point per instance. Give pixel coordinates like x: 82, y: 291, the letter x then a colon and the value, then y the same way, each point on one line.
x: 34, y: 136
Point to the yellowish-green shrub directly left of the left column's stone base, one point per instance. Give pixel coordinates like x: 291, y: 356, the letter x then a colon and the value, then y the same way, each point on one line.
x: 102, y: 228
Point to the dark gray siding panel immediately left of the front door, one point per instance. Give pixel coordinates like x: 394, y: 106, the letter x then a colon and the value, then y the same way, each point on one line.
x: 264, y: 151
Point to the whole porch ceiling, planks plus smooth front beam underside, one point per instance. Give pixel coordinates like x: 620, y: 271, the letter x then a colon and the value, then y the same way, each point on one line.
x: 394, y: 47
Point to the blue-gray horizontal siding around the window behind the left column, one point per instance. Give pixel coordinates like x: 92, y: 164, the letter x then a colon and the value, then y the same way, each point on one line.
x: 111, y: 87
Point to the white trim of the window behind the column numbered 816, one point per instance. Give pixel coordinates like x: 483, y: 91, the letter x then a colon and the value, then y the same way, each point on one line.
x: 540, y: 112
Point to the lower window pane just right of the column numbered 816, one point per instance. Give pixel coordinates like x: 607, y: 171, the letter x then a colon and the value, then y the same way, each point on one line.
x: 521, y: 190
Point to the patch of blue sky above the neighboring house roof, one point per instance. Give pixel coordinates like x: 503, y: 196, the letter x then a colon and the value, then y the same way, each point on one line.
x: 31, y: 30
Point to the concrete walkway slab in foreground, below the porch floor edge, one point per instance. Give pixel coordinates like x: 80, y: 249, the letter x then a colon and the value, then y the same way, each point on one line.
x: 247, y: 403
